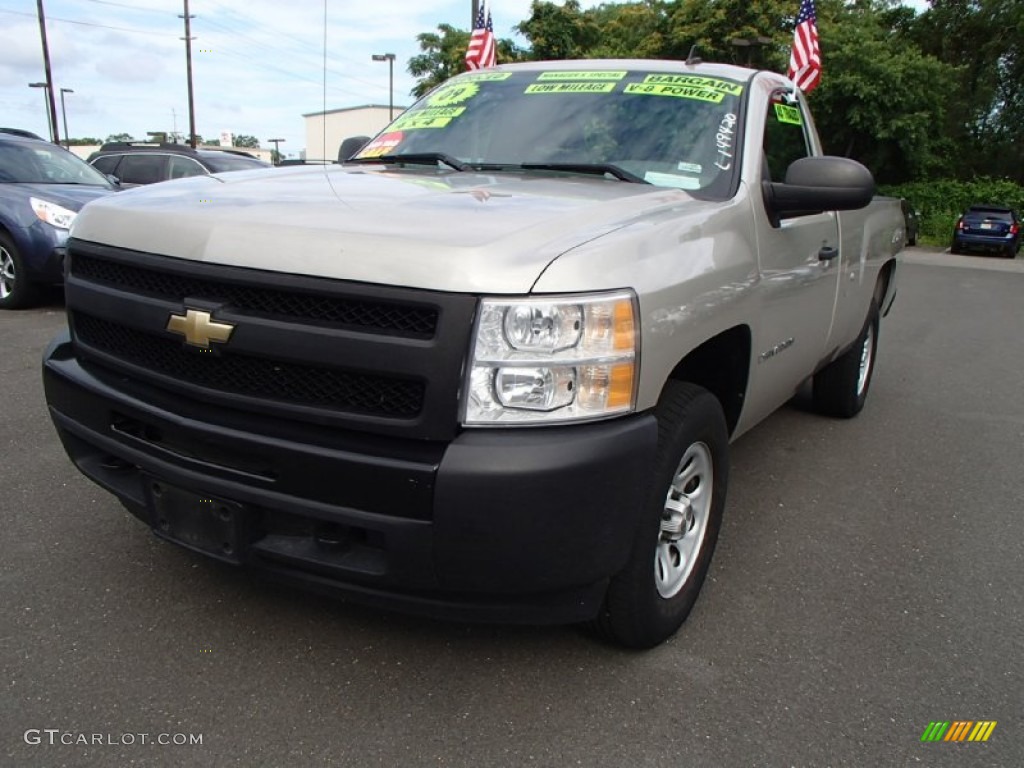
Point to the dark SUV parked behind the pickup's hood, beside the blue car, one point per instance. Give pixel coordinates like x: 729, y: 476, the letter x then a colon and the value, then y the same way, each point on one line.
x: 136, y: 164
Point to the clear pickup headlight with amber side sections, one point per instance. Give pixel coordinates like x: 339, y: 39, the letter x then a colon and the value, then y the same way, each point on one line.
x: 553, y: 360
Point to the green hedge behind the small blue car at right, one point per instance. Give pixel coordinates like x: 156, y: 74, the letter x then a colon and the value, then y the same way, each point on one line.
x: 941, y: 203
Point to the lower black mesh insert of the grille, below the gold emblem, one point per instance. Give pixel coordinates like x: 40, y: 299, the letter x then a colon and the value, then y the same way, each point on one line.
x: 277, y: 380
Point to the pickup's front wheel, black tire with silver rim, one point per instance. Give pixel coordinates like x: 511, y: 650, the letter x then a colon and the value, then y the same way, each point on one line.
x: 646, y: 604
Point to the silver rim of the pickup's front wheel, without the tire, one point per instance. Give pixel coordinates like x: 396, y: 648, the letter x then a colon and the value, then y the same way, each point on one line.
x: 685, y: 521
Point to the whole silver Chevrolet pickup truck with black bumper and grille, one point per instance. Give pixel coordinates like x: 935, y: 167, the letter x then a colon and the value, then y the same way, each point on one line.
x: 490, y: 367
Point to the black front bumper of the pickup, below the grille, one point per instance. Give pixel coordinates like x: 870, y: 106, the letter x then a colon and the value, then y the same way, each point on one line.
x: 503, y: 525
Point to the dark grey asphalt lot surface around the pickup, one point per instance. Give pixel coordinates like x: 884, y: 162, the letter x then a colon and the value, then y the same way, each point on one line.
x: 867, y: 584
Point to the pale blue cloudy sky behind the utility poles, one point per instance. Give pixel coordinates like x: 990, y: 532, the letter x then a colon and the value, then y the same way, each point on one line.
x: 258, y: 65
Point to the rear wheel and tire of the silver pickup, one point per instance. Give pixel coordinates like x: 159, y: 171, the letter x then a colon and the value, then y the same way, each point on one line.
x: 841, y: 389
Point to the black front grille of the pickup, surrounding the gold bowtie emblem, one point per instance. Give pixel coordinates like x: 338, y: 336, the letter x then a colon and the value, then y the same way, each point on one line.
x: 339, y: 354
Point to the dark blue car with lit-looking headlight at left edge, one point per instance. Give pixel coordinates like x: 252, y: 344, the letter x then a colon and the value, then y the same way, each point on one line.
x: 42, y: 189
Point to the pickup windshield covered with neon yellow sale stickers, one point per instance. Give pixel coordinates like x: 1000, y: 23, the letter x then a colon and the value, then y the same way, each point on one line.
x: 674, y: 131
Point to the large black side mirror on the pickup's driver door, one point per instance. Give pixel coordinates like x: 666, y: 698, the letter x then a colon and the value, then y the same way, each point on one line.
x: 817, y: 185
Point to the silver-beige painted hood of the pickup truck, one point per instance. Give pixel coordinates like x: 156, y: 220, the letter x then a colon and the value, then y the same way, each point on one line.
x: 418, y: 228
